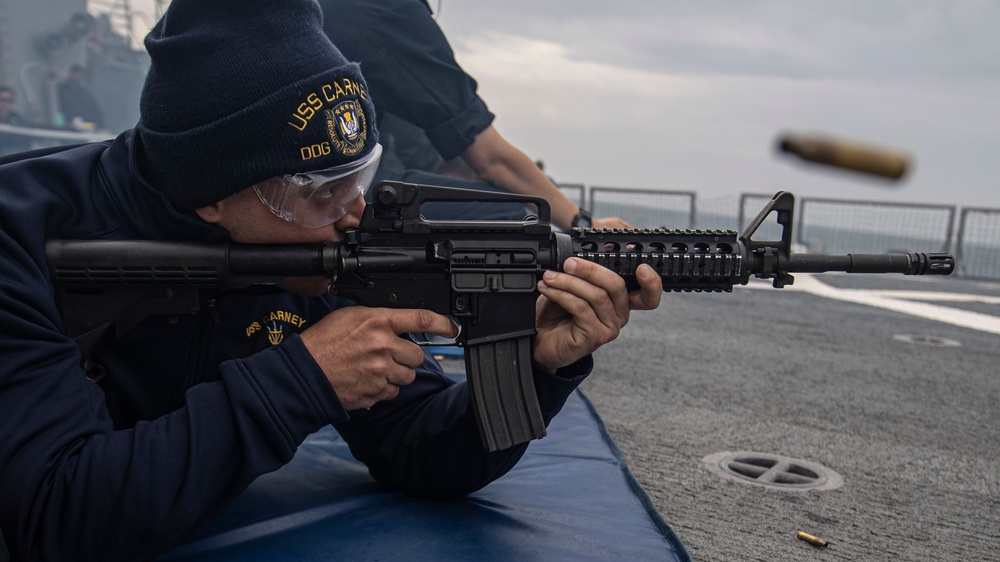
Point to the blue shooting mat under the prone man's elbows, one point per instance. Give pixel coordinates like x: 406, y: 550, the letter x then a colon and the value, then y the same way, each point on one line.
x: 571, y: 497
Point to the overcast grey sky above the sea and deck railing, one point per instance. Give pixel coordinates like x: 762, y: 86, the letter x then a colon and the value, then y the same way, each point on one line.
x: 691, y: 95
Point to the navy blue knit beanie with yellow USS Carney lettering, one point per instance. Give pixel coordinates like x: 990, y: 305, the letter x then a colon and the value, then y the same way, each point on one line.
x: 238, y: 92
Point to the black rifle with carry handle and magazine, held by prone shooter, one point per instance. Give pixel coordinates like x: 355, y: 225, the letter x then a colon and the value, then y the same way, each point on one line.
x: 481, y: 273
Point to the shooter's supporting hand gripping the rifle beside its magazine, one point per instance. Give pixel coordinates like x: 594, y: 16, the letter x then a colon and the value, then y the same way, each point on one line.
x: 585, y: 307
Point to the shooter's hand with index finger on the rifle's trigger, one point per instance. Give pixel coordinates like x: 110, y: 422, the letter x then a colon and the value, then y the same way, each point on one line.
x: 362, y: 355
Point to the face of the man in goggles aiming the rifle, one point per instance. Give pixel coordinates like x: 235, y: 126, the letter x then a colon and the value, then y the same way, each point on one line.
x: 249, y: 221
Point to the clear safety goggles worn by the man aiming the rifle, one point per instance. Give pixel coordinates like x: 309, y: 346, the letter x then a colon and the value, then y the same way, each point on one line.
x: 319, y: 198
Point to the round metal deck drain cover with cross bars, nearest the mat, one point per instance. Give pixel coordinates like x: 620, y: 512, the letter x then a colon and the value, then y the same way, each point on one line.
x: 773, y: 471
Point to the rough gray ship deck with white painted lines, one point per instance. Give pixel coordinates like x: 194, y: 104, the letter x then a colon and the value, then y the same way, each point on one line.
x: 912, y: 428
